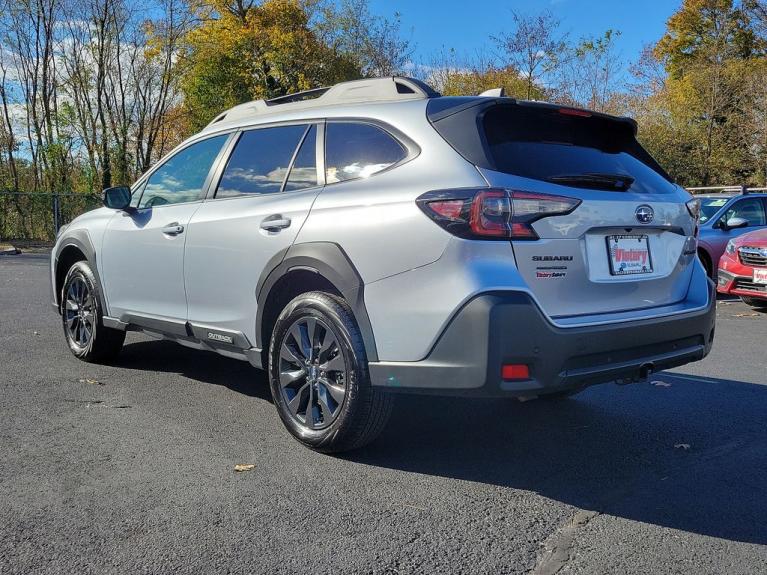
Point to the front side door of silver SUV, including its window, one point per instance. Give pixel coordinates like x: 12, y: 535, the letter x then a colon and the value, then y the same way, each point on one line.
x: 143, y: 249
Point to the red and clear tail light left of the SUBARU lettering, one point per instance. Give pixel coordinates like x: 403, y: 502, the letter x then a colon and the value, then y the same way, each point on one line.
x: 492, y: 213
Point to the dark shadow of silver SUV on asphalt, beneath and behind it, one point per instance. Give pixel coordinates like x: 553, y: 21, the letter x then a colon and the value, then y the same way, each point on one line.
x: 690, y: 456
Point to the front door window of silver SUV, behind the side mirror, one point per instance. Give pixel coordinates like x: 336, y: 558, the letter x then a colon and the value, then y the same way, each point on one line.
x: 181, y: 178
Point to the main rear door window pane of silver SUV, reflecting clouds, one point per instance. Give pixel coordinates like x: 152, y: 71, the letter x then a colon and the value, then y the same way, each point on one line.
x: 260, y: 161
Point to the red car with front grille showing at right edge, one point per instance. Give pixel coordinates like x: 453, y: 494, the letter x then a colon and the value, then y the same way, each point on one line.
x: 743, y: 269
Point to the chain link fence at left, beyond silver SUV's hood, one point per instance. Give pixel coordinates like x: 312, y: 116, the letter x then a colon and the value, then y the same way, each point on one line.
x: 37, y: 216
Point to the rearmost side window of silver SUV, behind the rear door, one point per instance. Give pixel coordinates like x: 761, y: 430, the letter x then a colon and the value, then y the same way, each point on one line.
x: 355, y: 150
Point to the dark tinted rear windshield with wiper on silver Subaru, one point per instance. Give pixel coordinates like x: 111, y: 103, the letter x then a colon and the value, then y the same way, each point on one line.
x: 542, y: 143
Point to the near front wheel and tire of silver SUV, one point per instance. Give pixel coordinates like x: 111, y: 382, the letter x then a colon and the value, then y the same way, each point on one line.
x: 82, y: 318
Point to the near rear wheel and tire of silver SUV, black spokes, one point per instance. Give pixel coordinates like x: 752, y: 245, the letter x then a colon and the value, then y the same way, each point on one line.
x: 322, y: 391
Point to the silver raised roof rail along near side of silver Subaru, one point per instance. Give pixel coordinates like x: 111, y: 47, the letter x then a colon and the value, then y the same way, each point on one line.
x: 393, y: 88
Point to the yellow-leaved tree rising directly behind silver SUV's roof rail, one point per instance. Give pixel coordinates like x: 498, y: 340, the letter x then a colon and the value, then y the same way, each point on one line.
x: 241, y: 52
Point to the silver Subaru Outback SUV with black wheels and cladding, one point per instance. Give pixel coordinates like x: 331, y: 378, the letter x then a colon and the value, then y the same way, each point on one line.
x: 375, y: 237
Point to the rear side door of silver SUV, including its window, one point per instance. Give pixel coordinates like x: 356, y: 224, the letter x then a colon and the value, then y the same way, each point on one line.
x: 262, y: 197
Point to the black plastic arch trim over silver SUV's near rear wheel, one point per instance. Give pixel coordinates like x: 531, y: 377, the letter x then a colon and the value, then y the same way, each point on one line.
x: 330, y: 261
